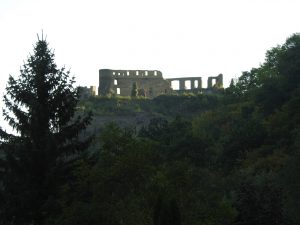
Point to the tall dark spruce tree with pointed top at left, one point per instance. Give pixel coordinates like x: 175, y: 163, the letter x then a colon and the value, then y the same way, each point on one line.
x: 41, y: 108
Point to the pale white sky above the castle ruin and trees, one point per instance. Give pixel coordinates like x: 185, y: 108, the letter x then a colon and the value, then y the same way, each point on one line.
x: 178, y: 37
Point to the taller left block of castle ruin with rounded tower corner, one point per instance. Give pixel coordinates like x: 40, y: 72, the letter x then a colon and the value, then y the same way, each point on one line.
x: 150, y: 83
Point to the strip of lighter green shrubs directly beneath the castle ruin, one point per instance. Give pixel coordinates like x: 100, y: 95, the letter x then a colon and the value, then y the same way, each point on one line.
x: 167, y: 106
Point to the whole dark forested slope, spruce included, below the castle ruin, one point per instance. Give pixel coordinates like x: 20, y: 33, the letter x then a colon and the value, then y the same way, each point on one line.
x: 226, y: 158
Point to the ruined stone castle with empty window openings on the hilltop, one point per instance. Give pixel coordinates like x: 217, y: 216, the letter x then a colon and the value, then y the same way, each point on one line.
x: 149, y: 83
